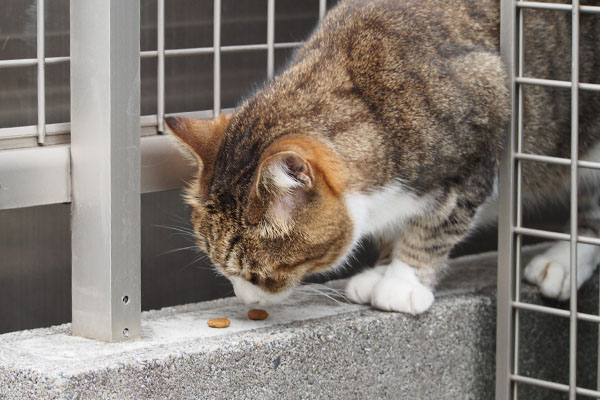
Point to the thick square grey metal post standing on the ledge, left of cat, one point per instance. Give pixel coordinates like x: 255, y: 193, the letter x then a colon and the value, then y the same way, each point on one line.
x: 105, y: 159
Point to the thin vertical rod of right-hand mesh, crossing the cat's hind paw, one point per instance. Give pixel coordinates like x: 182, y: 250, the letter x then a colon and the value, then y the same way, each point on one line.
x: 574, y: 196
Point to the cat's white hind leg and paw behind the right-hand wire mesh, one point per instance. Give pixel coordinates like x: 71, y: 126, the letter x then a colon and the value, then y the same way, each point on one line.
x: 551, y: 270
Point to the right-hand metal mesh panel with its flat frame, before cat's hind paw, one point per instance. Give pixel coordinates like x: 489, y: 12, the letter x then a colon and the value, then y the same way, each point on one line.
x: 511, y: 229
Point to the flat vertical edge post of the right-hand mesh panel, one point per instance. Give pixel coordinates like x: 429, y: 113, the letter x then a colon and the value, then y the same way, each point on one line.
x: 506, y: 214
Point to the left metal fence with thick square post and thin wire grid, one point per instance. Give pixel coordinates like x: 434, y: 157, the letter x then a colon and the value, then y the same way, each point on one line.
x: 100, y: 171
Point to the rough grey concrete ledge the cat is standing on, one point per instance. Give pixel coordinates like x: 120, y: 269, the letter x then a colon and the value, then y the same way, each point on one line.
x: 309, y: 347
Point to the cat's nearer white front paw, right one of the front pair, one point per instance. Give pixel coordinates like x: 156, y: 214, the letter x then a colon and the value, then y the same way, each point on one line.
x: 400, y: 290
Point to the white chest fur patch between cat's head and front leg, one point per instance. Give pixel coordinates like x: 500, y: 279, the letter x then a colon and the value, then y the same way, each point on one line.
x: 384, y: 208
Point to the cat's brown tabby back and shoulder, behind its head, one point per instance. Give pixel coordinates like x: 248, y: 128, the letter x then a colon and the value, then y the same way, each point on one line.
x: 385, y: 82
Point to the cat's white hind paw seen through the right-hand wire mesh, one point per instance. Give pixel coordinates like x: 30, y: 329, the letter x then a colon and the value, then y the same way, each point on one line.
x: 551, y: 270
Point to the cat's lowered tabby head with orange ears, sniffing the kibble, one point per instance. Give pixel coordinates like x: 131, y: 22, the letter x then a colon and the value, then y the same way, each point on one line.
x: 269, y: 218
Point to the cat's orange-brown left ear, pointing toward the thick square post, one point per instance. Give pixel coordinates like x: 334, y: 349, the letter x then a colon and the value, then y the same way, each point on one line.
x: 202, y: 137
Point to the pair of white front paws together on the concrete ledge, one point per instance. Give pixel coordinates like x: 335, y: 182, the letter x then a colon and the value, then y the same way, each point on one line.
x: 391, y: 288
